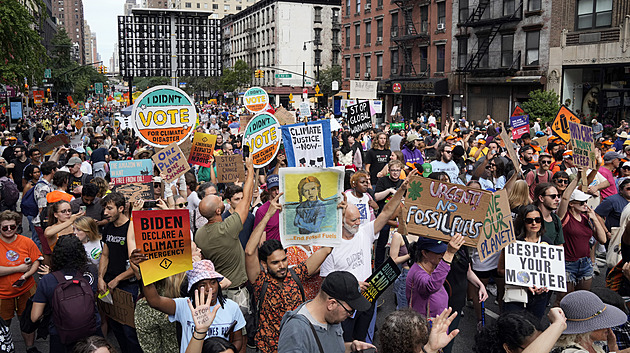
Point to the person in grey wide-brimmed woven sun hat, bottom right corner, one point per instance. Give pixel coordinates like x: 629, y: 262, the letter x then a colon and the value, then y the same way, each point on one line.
x: 588, y: 320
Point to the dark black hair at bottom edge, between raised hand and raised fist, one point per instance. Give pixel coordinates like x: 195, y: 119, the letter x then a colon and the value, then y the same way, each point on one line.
x: 511, y: 329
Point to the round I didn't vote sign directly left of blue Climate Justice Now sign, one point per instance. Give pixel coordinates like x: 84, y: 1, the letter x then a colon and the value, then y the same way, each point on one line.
x: 263, y: 136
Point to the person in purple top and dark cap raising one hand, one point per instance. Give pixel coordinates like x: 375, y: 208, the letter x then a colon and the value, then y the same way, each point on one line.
x: 425, y: 281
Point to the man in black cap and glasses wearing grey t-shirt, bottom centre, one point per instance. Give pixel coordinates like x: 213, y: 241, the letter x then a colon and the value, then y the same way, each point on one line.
x: 338, y: 300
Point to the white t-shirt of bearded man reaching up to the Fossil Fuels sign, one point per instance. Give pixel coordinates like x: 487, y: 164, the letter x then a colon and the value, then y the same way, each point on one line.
x: 353, y: 255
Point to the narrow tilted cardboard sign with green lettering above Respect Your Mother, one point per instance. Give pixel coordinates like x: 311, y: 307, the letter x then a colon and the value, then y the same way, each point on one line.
x: 498, y: 230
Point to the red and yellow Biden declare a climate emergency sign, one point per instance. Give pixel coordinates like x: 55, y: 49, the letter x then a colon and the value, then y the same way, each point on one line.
x: 164, y: 237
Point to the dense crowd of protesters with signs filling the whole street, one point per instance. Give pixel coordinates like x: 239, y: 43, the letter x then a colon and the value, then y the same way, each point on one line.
x: 91, y: 217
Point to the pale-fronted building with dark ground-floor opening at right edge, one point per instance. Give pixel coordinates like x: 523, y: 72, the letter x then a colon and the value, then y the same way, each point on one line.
x: 590, y: 57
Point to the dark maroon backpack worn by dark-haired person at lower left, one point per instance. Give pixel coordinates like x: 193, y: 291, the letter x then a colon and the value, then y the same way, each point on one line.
x: 73, y: 310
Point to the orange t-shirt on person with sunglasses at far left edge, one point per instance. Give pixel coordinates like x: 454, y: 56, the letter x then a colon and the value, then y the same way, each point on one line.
x: 11, y: 255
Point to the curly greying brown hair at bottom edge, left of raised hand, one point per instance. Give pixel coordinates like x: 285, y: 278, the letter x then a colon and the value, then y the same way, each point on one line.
x: 403, y: 332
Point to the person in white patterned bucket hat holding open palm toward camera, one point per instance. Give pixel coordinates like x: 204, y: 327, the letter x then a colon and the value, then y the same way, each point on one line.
x: 202, y: 278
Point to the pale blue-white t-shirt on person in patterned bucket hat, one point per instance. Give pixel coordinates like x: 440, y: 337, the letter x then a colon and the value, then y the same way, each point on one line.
x: 222, y: 322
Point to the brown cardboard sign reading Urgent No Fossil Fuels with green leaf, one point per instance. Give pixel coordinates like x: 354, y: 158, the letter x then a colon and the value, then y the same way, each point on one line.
x: 439, y: 210
